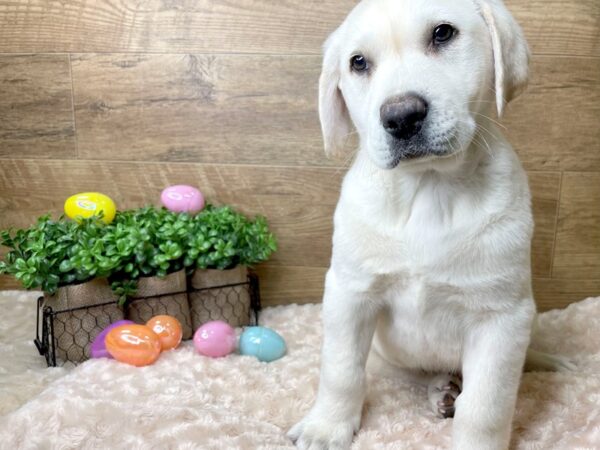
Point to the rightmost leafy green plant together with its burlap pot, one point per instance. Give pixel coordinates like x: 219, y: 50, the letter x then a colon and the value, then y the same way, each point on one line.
x: 222, y: 244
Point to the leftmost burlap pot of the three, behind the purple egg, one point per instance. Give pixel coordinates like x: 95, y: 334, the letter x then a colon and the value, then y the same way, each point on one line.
x: 82, y: 311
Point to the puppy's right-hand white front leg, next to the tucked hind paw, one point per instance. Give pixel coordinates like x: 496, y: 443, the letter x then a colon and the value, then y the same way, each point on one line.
x: 494, y: 354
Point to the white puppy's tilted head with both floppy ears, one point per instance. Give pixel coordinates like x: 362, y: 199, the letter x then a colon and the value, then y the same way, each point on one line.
x: 414, y: 76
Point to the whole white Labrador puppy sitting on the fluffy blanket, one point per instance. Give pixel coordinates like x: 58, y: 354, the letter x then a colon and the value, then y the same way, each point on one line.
x: 430, y: 274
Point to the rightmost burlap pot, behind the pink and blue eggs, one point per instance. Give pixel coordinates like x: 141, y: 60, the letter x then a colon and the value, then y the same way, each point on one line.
x: 215, y: 302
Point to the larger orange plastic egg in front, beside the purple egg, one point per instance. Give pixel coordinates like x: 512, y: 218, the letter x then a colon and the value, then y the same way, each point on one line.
x: 133, y: 344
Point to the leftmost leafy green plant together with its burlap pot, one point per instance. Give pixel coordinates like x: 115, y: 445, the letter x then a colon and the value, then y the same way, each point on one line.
x: 64, y: 259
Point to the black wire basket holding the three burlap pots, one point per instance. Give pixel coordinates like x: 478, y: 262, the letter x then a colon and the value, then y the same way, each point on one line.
x: 65, y: 336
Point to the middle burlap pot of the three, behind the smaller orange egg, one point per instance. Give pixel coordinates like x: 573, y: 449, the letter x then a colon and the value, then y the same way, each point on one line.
x: 150, y: 300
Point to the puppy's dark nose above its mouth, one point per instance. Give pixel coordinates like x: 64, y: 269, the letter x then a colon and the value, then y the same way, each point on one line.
x: 403, y: 116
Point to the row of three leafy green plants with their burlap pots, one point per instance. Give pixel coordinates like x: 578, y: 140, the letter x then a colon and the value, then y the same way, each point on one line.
x: 93, y: 273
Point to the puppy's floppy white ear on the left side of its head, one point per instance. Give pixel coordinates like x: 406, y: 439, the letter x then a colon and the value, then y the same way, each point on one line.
x: 335, y: 120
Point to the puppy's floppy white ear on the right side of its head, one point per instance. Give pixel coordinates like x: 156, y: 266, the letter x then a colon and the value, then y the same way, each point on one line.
x: 511, y: 53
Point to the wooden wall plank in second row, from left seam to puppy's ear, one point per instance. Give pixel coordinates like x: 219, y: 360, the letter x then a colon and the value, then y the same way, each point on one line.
x: 198, y: 108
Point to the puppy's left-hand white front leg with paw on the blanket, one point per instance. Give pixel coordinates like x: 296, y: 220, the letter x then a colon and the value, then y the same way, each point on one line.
x: 348, y: 323
